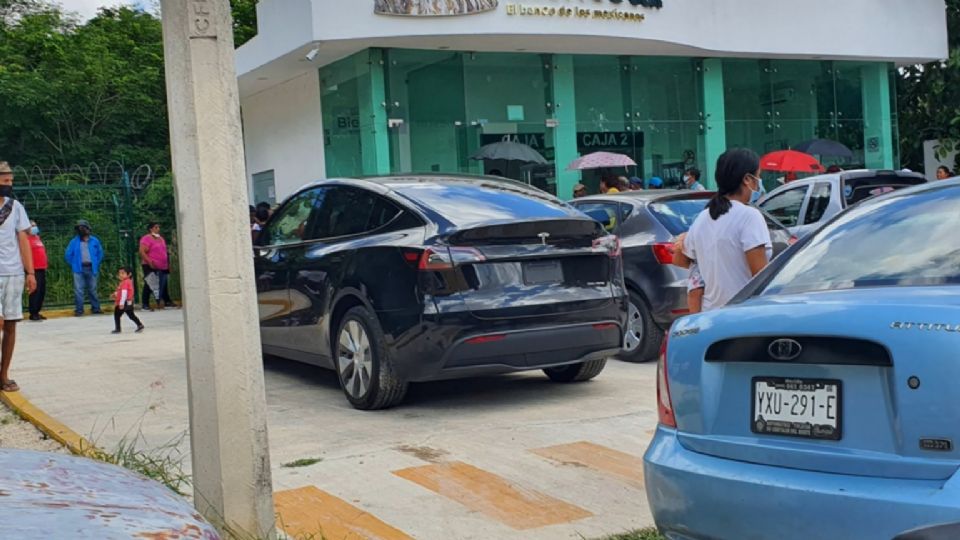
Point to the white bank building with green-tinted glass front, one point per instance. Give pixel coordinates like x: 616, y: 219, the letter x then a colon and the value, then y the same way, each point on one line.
x: 334, y: 88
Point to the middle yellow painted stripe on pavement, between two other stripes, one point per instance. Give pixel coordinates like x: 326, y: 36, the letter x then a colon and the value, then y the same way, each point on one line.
x: 493, y: 495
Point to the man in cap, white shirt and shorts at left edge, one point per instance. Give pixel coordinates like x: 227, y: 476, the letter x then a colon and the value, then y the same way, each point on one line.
x: 16, y: 271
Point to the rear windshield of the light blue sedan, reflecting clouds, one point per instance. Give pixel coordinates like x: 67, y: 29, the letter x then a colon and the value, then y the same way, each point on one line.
x: 902, y: 241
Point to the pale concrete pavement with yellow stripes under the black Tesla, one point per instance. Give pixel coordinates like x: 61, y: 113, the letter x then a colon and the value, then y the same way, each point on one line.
x: 500, y: 457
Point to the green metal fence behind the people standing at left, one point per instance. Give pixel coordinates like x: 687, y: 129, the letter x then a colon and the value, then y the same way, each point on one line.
x: 118, y: 202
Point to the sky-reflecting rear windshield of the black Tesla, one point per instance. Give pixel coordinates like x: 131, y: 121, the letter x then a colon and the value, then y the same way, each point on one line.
x: 466, y: 204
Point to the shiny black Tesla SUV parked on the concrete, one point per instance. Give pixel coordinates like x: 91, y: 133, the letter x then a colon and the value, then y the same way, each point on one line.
x: 415, y: 278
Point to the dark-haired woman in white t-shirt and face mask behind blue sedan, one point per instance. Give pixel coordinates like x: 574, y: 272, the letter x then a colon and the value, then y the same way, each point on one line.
x: 729, y: 241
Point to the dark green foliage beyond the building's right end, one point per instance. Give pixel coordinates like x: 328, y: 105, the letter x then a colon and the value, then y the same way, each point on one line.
x: 929, y: 99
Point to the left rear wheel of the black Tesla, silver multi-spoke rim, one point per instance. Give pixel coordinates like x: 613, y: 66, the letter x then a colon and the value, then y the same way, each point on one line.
x: 363, y: 363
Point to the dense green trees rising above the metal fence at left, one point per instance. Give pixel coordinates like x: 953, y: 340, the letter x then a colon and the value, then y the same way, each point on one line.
x: 75, y: 93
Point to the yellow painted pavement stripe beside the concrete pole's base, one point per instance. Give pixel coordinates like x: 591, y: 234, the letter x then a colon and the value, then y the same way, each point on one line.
x: 308, y: 511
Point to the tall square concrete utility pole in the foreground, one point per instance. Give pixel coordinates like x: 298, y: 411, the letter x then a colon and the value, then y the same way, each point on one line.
x: 228, y: 430
